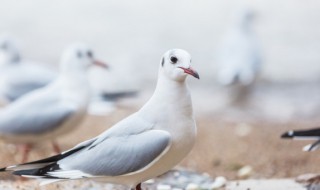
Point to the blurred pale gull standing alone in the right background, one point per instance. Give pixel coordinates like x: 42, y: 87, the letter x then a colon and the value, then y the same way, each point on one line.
x: 239, y: 56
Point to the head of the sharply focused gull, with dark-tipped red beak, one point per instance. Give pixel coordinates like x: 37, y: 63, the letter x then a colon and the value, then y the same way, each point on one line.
x: 176, y: 64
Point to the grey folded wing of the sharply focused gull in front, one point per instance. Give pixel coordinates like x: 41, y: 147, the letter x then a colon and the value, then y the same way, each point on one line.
x: 118, y: 155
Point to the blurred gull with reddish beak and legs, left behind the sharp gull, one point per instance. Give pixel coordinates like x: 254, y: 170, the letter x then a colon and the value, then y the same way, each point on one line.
x: 53, y: 110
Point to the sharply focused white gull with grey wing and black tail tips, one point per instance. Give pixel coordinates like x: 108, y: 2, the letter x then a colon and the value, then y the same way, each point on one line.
x: 144, y: 145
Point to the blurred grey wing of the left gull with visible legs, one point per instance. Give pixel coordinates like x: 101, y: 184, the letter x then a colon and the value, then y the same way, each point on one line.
x: 34, y: 116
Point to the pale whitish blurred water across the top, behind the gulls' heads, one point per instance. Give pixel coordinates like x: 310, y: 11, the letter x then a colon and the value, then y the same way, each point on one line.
x: 135, y: 33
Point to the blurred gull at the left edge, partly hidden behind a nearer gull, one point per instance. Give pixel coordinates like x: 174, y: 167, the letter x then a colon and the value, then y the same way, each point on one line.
x: 17, y: 76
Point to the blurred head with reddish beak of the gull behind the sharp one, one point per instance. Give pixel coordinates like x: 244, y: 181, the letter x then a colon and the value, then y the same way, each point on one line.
x: 78, y: 58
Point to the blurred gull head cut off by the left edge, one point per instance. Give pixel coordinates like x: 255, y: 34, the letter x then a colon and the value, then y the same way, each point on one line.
x: 9, y: 52
